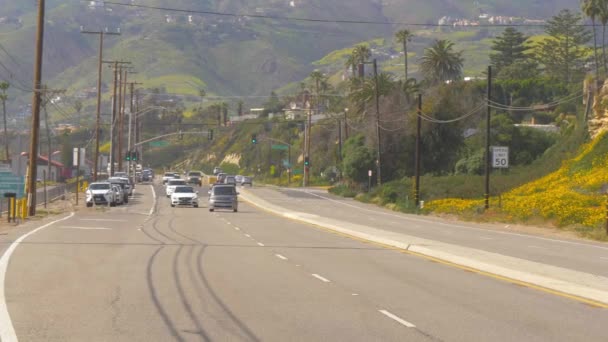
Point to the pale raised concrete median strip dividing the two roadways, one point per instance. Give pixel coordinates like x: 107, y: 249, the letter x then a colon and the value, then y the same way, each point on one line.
x: 594, y: 288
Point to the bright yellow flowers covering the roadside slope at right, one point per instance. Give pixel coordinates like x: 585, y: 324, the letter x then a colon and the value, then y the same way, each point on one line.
x: 568, y: 196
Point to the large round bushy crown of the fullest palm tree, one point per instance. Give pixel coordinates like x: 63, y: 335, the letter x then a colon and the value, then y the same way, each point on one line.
x: 441, y: 63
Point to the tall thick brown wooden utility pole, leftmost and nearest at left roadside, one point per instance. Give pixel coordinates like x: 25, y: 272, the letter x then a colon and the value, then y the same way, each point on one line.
x: 33, y: 157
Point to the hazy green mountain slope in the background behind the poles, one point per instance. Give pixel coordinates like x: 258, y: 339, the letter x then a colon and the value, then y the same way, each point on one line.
x: 226, y: 55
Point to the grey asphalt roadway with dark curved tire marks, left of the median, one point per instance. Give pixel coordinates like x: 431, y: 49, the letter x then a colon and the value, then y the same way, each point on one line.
x: 149, y: 272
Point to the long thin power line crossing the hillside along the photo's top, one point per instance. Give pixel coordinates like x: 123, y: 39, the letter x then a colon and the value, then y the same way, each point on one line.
x: 313, y: 20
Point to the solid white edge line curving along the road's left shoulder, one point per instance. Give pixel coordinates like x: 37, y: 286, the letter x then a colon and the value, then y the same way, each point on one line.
x: 7, y: 331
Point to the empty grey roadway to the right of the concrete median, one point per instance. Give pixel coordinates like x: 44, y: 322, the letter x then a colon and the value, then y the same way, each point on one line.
x: 578, y: 255
